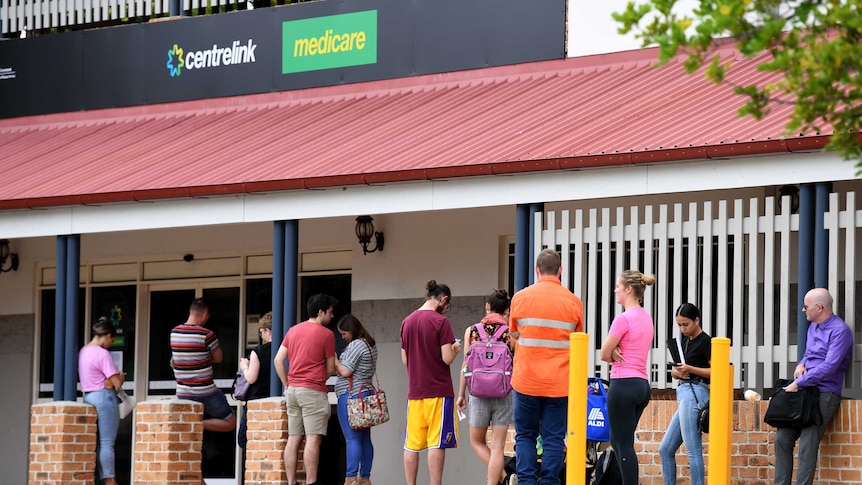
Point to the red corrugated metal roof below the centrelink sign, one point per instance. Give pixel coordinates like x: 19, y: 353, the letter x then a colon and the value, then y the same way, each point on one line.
x: 575, y: 113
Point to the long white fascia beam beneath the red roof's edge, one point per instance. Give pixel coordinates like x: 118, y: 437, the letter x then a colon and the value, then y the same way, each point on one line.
x: 437, y: 195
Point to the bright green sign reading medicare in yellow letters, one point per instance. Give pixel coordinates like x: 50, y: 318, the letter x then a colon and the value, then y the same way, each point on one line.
x: 328, y: 42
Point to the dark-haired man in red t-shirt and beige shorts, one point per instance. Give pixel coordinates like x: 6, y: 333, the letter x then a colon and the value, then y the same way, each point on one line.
x: 309, y: 347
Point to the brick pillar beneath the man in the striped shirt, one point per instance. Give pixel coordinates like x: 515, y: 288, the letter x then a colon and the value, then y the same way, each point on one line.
x: 168, y: 438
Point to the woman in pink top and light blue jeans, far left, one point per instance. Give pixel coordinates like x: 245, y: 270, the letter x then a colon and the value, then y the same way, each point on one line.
x: 99, y: 381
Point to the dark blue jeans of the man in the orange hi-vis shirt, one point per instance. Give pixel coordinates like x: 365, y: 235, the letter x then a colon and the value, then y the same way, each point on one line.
x: 536, y: 415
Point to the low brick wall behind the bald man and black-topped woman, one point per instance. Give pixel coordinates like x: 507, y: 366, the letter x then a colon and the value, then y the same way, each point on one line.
x: 752, y: 450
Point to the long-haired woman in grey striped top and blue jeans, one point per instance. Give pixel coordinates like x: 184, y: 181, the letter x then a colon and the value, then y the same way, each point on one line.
x: 355, y: 370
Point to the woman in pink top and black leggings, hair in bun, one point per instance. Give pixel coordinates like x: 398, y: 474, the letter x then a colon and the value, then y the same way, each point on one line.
x: 627, y: 348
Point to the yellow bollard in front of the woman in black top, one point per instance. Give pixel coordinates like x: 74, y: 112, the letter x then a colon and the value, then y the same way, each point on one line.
x: 720, y: 412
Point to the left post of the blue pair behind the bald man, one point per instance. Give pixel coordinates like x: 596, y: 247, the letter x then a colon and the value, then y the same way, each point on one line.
x: 806, y: 261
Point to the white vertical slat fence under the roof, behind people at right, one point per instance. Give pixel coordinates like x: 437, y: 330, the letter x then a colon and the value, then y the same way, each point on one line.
x: 733, y: 259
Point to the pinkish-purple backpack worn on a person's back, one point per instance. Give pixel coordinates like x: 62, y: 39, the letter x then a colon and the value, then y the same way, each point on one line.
x: 488, y: 369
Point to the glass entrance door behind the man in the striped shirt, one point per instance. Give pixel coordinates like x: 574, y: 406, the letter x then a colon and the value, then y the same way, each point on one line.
x: 169, y: 307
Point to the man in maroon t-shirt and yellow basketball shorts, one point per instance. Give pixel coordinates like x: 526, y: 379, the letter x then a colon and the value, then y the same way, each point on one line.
x: 428, y: 347
